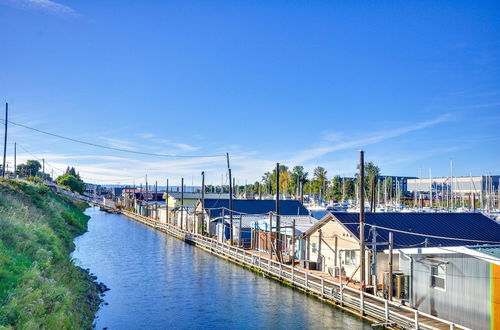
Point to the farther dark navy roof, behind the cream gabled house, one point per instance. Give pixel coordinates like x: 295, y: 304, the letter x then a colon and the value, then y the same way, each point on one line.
x: 243, y: 206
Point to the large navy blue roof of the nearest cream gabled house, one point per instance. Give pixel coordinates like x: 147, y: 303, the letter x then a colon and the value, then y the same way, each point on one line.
x: 421, y: 229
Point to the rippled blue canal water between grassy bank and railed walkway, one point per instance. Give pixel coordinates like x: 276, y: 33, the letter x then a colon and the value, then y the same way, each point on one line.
x: 159, y: 282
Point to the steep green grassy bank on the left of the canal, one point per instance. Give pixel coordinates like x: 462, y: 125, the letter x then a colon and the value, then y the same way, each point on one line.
x: 39, y: 285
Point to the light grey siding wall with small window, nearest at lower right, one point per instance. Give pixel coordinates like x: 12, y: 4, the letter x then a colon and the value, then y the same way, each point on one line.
x: 466, y: 299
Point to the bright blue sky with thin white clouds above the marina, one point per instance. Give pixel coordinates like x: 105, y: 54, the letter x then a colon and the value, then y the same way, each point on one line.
x: 413, y: 83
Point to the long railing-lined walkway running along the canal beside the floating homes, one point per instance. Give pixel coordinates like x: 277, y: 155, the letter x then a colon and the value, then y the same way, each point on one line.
x: 389, y: 313
